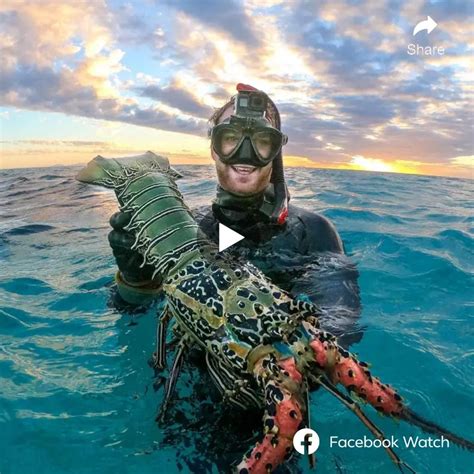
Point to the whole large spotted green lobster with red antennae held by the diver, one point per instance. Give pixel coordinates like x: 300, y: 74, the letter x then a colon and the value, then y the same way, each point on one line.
x: 263, y: 347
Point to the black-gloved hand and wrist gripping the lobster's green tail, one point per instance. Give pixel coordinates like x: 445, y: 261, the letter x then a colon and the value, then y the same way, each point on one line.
x: 135, y: 284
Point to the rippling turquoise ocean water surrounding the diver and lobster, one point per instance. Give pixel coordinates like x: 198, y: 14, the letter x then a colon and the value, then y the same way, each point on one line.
x: 77, y: 394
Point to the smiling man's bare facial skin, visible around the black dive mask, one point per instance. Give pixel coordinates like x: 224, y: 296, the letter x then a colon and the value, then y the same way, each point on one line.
x: 242, y: 180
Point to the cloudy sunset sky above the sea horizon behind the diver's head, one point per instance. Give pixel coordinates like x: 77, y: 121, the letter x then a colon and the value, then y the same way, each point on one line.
x: 111, y: 77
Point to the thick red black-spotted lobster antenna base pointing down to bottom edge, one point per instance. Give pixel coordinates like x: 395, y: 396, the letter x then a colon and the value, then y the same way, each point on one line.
x: 283, y: 415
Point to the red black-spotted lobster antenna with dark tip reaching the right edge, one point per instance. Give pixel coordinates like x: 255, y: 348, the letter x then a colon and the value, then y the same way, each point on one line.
x: 342, y: 367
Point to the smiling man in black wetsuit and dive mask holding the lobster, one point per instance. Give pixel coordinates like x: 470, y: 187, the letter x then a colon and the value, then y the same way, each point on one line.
x: 298, y: 249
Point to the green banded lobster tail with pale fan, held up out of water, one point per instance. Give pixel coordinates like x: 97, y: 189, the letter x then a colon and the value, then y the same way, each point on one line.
x: 166, y: 232
